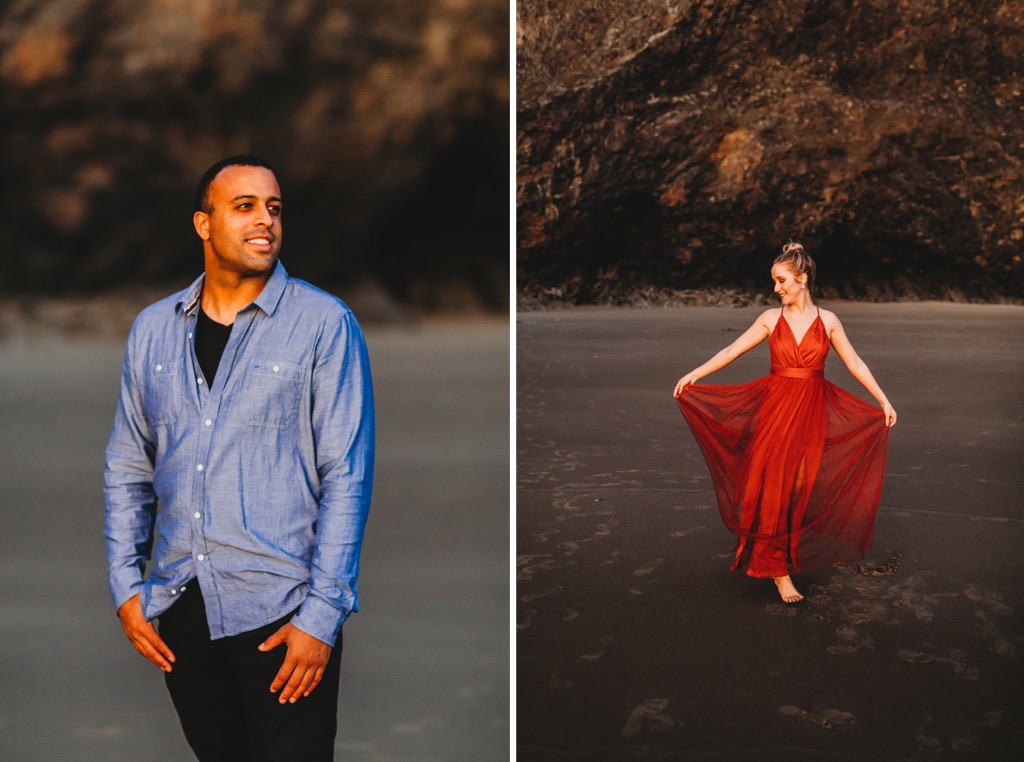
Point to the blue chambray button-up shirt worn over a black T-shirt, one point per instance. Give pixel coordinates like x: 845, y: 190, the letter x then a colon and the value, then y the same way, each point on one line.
x: 259, y: 487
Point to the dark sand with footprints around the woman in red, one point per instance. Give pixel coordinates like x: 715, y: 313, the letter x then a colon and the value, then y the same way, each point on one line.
x: 634, y: 642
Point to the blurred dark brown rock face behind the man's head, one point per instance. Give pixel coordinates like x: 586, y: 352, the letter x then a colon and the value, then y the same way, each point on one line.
x: 388, y: 121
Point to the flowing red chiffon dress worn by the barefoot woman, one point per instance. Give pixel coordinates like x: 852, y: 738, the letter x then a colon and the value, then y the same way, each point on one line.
x: 797, y: 462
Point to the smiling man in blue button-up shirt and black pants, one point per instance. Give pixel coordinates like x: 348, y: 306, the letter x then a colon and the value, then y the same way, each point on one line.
x: 241, y: 460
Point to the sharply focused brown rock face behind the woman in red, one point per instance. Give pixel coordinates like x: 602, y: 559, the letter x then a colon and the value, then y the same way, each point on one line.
x: 674, y: 146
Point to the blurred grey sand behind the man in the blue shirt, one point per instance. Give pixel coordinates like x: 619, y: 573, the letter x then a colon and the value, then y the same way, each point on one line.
x: 425, y: 671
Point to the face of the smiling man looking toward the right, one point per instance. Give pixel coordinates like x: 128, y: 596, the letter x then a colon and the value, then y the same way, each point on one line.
x: 243, y: 233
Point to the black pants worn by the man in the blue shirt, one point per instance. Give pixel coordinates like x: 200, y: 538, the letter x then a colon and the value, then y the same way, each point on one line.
x: 222, y: 692
